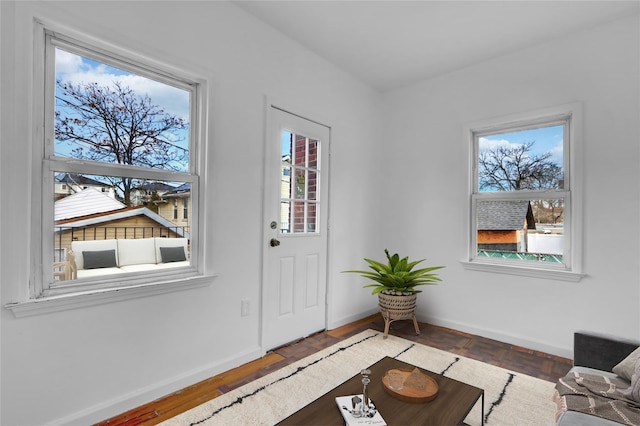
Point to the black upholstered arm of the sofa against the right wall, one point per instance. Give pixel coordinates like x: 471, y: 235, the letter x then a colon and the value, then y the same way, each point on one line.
x: 599, y: 351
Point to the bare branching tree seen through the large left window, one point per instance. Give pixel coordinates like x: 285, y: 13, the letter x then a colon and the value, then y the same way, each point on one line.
x: 115, y: 124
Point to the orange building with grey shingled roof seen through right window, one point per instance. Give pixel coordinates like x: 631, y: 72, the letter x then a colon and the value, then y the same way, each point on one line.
x: 504, y: 225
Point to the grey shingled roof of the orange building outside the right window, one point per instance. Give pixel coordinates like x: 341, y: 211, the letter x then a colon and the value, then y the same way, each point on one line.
x: 504, y: 215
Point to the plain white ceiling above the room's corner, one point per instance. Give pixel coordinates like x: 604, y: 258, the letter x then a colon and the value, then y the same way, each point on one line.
x: 389, y: 43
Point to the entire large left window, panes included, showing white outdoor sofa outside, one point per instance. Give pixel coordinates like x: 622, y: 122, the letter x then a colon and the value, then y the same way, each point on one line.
x: 120, y: 134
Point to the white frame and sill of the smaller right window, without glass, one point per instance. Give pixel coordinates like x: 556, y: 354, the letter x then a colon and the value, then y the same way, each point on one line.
x: 571, y: 269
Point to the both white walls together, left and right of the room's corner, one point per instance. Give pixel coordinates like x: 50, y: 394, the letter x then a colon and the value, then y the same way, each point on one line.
x: 405, y: 190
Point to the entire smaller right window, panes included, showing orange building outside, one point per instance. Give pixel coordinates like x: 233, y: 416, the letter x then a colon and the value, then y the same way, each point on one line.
x: 523, y: 189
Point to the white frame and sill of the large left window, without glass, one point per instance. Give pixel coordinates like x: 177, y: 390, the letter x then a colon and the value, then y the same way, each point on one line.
x: 121, y: 286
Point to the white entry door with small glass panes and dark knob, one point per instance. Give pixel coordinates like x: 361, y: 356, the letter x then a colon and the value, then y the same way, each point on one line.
x: 295, y: 224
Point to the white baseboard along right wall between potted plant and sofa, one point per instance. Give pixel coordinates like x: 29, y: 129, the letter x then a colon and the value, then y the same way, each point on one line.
x: 500, y: 336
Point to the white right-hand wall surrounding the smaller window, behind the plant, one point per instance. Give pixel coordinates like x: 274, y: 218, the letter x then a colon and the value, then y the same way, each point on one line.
x: 599, y: 68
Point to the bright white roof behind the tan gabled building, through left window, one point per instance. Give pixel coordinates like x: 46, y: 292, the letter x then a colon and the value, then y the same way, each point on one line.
x: 86, y: 202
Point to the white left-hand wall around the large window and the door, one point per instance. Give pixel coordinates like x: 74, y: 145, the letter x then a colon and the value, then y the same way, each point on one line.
x: 84, y: 365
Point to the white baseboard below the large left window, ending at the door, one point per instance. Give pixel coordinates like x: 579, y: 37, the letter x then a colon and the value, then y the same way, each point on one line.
x: 123, y: 403
